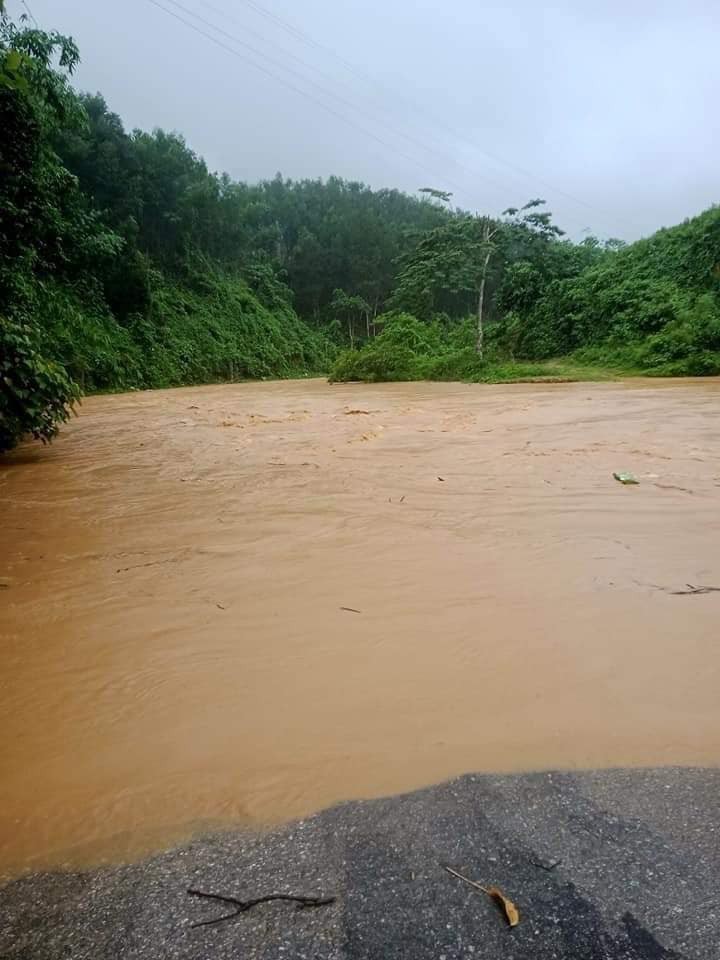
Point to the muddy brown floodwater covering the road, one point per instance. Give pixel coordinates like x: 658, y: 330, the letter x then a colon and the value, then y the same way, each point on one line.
x: 238, y: 604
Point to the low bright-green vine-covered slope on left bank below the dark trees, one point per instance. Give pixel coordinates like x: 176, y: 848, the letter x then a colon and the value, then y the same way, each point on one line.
x: 187, y: 336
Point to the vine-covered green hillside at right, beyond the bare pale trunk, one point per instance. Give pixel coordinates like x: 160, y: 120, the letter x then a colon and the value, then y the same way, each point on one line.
x: 665, y: 289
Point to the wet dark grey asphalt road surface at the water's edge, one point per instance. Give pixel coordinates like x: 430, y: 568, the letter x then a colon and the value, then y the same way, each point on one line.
x: 602, y: 866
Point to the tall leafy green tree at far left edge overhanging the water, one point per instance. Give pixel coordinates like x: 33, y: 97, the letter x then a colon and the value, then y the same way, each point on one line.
x: 45, y: 230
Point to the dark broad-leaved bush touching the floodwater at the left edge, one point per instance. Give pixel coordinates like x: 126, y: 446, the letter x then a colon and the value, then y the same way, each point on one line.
x: 36, y: 394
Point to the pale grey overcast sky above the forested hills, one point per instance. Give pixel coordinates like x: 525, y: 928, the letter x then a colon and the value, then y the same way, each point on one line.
x: 609, y: 110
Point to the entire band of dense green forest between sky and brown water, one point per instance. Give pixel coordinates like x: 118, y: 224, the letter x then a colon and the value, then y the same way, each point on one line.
x: 125, y: 263
